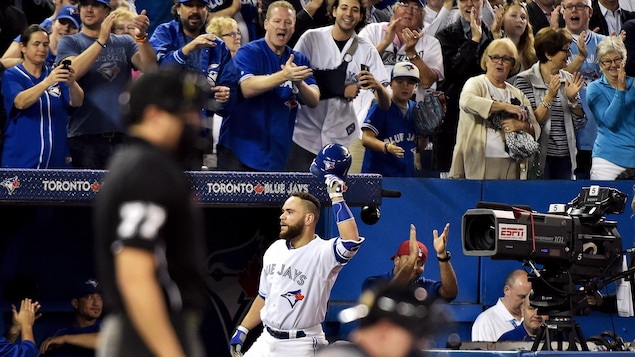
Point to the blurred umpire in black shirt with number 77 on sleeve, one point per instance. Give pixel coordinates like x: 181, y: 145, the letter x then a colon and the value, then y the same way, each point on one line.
x: 149, y: 235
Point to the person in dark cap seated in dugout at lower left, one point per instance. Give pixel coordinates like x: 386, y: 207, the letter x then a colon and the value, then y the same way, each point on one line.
x: 80, y: 339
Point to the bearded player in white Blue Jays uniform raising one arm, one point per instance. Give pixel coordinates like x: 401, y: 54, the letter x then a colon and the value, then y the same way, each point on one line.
x: 298, y: 273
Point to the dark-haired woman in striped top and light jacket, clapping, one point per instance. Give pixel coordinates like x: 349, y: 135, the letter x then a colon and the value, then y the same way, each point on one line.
x: 553, y: 93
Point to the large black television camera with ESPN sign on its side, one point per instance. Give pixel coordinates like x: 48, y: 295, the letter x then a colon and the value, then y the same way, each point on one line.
x: 571, y: 251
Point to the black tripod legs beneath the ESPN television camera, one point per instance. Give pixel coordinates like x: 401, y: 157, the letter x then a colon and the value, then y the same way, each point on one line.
x: 558, y: 326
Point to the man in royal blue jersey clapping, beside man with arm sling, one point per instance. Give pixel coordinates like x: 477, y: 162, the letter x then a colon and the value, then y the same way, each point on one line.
x: 274, y: 80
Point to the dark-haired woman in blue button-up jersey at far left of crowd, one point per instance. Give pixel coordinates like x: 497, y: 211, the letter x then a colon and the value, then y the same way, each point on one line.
x: 36, y: 100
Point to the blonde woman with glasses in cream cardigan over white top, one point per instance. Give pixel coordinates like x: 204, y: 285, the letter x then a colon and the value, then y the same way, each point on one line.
x: 490, y: 110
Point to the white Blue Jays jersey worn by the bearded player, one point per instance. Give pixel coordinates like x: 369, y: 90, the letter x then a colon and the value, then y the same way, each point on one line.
x: 296, y: 282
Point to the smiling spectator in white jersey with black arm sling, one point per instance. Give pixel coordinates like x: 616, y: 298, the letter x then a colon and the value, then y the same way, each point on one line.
x: 333, y: 120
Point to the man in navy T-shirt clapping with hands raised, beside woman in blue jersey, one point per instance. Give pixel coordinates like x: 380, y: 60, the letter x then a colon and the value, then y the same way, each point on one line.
x: 102, y: 63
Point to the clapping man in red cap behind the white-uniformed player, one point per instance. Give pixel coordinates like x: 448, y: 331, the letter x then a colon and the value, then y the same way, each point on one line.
x: 409, y: 263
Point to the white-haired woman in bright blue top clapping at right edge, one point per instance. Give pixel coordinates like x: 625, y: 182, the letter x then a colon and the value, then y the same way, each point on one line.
x: 612, y: 100
